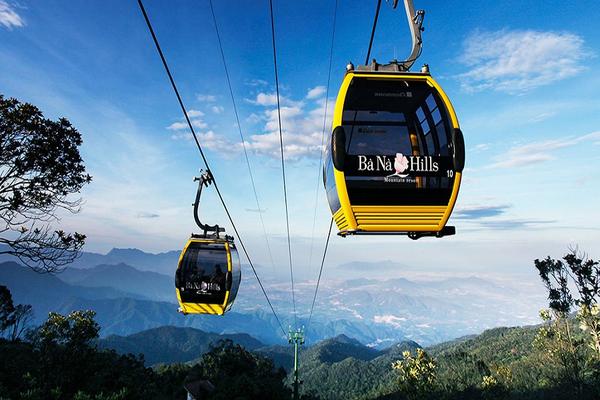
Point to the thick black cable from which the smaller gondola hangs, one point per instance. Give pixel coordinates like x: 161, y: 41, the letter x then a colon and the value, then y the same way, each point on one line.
x: 185, y: 113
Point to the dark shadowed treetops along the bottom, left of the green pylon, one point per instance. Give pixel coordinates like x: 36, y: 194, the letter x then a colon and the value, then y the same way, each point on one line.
x: 60, y: 360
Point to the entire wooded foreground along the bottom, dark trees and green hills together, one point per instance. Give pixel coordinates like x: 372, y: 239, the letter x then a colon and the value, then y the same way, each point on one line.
x: 502, y: 363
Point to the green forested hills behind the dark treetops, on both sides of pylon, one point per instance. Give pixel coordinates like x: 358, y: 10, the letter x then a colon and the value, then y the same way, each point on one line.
x: 509, y: 363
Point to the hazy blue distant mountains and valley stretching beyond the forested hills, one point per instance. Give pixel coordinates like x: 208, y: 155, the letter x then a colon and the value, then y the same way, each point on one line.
x: 132, y: 291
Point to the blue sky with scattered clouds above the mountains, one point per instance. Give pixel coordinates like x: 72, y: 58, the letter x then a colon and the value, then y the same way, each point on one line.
x: 520, y: 75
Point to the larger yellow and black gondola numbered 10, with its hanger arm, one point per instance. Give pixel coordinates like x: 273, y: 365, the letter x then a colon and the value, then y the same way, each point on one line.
x: 396, y: 154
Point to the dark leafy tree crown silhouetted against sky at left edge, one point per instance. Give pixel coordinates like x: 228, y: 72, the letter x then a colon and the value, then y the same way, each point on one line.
x: 40, y: 167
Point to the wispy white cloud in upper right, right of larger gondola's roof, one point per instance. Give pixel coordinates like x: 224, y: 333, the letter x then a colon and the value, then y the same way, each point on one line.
x: 520, y: 60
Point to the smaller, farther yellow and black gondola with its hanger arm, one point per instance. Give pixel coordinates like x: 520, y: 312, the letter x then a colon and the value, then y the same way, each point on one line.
x: 208, y: 273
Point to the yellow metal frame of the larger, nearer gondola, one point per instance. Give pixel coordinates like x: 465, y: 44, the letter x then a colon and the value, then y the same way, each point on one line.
x: 390, y: 218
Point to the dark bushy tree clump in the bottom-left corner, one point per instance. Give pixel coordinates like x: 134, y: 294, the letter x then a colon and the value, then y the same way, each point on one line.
x: 62, y: 362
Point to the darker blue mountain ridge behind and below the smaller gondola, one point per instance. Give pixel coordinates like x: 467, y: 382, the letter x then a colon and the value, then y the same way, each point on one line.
x: 120, y: 312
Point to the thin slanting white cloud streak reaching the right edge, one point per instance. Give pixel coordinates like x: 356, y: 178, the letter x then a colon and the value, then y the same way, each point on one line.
x: 536, y: 152
